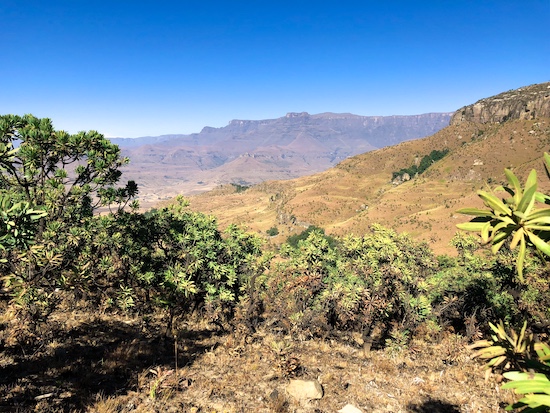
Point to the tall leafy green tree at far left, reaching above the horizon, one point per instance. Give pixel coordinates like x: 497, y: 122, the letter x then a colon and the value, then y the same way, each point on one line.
x: 67, y: 176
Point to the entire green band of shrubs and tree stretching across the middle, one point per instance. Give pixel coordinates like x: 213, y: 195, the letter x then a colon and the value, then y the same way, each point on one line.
x: 382, y: 285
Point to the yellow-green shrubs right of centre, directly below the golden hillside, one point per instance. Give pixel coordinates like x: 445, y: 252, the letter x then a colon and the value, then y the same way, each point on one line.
x: 386, y: 286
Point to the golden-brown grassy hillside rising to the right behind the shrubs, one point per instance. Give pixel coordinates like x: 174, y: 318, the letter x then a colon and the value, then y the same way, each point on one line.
x: 359, y: 191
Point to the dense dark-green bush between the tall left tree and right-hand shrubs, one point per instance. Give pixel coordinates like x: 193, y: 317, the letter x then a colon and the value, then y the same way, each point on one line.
x: 169, y: 257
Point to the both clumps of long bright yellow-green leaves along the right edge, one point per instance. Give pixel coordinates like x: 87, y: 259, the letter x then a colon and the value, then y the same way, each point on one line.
x: 515, y: 220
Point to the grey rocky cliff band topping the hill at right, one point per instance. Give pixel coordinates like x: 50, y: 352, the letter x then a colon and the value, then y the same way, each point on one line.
x: 530, y: 102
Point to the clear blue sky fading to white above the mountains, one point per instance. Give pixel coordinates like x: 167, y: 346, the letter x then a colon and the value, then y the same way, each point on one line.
x: 131, y: 68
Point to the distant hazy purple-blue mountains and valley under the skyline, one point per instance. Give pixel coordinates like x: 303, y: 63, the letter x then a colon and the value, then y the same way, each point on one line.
x: 252, y: 151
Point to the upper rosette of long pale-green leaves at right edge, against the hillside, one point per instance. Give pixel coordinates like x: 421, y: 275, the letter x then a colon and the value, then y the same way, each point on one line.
x: 511, y: 222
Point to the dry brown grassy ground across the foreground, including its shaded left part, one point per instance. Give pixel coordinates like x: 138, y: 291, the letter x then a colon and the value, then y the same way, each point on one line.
x: 86, y: 360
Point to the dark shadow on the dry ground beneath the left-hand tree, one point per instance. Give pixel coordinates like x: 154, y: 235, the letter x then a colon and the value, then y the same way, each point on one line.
x: 97, y: 358
